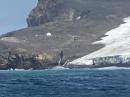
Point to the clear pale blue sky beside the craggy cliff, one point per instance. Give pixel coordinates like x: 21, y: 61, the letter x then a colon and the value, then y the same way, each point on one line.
x: 13, y: 14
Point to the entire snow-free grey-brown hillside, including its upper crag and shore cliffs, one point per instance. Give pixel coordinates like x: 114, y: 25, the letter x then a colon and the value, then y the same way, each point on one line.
x: 70, y: 26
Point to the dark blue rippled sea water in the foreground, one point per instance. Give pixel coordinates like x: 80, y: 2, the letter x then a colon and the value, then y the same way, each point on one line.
x: 65, y: 83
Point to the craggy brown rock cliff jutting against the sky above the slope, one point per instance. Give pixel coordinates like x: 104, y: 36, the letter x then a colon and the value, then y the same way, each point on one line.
x: 56, y: 10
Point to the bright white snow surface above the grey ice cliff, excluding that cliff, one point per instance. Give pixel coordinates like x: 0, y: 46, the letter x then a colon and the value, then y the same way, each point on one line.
x: 117, y: 42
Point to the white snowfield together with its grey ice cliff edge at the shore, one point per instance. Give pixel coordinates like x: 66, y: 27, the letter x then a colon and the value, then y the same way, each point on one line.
x: 116, y: 50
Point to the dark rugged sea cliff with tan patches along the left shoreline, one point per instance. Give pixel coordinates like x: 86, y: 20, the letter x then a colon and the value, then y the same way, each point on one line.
x: 19, y: 58
